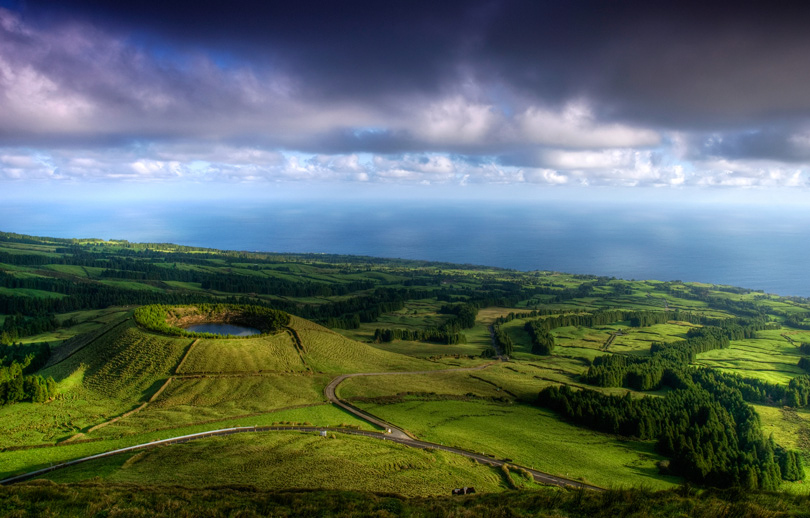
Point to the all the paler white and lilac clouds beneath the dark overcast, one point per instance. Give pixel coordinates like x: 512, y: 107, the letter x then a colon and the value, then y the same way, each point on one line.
x: 188, y: 116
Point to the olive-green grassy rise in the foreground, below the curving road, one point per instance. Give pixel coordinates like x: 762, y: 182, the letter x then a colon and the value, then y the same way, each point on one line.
x: 295, y: 461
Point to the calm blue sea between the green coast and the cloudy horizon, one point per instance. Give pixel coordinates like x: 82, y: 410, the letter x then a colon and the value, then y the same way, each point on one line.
x: 753, y: 248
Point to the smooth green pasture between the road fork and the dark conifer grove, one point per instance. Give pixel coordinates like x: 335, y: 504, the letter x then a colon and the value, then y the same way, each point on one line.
x: 532, y: 437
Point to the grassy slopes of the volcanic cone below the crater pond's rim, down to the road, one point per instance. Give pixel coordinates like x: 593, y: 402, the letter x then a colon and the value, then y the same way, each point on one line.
x: 120, y: 384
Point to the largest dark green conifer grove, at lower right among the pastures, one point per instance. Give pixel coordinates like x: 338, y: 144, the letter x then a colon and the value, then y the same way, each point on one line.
x: 712, y: 436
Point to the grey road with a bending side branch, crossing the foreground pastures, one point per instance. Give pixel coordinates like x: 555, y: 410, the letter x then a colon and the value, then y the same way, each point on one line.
x: 393, y: 434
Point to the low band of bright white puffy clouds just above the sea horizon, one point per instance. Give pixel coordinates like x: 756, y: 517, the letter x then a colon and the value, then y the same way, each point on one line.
x: 167, y: 163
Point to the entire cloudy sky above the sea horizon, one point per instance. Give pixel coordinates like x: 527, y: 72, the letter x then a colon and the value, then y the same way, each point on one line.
x: 693, y: 100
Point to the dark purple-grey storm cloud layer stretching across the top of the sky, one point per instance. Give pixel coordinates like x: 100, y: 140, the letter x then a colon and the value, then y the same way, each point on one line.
x: 674, y: 64
